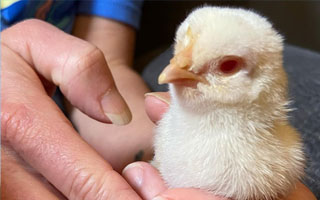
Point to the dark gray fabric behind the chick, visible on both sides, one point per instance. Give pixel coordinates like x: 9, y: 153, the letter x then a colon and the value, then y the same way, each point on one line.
x: 303, y: 71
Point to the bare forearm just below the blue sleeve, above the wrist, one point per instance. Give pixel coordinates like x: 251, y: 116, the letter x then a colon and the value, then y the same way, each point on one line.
x: 116, y: 40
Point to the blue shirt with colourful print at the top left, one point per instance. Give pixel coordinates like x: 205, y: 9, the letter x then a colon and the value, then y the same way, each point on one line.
x: 62, y: 13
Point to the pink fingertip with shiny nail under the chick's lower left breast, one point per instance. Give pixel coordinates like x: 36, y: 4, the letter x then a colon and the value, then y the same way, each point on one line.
x: 145, y: 179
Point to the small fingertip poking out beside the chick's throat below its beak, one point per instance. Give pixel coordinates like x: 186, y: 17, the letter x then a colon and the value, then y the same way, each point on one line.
x: 156, y: 104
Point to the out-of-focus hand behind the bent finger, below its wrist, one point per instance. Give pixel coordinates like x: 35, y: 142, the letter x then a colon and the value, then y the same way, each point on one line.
x: 121, y: 145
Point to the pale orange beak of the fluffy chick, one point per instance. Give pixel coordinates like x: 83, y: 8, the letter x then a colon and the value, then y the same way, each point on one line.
x: 178, y: 72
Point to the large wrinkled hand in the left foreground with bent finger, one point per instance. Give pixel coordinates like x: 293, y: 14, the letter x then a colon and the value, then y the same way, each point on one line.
x: 42, y: 155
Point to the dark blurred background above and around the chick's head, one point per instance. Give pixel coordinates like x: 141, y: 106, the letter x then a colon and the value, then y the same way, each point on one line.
x: 298, y: 21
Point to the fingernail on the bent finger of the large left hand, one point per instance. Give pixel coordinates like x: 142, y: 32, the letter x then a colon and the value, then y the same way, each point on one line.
x: 115, y: 108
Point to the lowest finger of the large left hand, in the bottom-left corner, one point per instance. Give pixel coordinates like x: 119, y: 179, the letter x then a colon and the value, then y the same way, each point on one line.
x: 19, y: 183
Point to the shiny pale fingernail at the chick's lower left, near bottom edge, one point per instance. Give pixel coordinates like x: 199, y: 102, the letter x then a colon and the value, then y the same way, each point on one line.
x: 134, y: 172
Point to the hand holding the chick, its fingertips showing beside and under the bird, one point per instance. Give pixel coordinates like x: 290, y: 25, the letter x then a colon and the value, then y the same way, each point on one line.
x: 148, y: 183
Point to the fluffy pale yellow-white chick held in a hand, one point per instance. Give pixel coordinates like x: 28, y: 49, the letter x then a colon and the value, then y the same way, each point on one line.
x: 227, y: 129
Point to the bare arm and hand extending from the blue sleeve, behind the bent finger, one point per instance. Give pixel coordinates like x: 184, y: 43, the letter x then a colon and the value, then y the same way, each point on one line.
x: 119, y: 145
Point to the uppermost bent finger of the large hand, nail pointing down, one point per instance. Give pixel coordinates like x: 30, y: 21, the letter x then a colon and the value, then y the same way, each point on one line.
x: 77, y: 67
